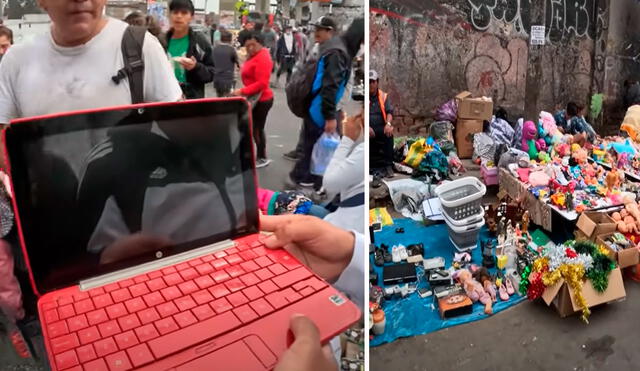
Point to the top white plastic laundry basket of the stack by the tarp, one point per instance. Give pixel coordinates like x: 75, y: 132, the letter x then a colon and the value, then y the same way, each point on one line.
x: 462, y: 197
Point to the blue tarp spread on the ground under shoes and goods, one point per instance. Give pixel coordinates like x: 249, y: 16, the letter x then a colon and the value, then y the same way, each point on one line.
x: 414, y: 315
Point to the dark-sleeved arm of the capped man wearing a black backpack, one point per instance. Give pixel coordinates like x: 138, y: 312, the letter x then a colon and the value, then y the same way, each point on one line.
x: 335, y: 68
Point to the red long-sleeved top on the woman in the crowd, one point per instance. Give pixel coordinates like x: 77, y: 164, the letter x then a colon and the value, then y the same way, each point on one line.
x: 256, y: 74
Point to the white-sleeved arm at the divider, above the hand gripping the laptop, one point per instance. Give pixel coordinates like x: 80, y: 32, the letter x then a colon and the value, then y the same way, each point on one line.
x: 345, y: 168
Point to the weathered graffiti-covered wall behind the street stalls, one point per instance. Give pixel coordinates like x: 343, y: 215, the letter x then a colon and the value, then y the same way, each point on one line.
x: 428, y: 50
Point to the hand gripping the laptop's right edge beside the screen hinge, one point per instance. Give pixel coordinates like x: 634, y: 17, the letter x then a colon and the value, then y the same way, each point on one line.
x: 324, y: 248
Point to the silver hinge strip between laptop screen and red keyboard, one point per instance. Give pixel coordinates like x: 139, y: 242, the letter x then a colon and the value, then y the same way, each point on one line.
x: 123, y: 274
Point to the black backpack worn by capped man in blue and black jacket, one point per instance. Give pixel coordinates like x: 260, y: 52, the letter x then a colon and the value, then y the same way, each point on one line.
x: 299, y: 88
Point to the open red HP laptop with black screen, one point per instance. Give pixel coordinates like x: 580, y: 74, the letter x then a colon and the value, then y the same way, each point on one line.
x: 139, y: 226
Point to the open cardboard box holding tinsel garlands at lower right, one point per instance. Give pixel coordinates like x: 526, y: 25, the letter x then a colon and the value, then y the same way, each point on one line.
x: 562, y: 297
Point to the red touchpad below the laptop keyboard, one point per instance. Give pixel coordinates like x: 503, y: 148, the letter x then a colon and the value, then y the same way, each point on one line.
x: 250, y: 353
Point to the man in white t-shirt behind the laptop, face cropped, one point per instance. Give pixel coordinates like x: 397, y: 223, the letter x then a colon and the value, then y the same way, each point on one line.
x: 70, y: 67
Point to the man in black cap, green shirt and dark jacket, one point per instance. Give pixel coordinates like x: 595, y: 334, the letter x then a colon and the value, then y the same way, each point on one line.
x: 191, y: 52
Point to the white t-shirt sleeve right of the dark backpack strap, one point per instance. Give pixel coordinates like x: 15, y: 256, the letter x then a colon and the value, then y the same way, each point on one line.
x: 160, y: 84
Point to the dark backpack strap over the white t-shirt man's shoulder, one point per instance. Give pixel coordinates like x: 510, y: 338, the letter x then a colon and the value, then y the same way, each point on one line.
x: 133, y: 69
